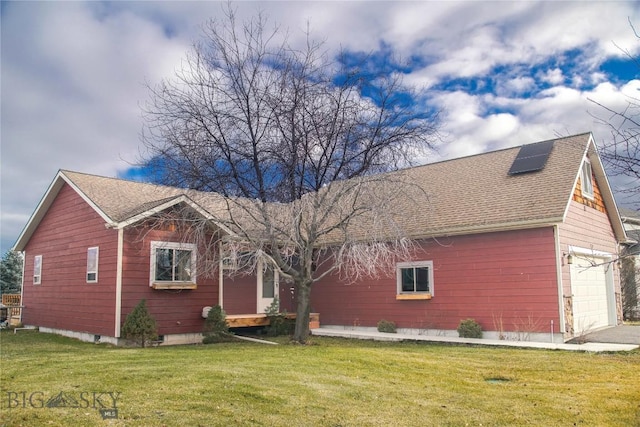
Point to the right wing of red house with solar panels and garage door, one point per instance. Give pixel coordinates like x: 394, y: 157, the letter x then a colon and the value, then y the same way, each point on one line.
x: 523, y: 240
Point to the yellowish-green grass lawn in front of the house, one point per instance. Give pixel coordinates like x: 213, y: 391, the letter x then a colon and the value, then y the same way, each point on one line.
x: 331, y: 382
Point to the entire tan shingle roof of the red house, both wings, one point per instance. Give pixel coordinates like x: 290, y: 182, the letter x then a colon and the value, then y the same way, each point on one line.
x: 463, y: 195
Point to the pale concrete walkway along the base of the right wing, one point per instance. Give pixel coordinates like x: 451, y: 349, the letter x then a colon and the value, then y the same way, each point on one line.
x: 379, y: 336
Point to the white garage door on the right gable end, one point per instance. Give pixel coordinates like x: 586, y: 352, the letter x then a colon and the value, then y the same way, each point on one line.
x: 590, y: 298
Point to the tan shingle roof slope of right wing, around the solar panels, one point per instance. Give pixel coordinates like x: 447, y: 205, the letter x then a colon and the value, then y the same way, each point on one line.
x: 477, y: 191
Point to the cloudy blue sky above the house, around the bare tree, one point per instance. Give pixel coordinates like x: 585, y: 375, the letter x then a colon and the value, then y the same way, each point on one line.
x: 74, y: 75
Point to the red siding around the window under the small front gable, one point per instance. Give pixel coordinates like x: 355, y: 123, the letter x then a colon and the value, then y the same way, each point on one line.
x: 175, y: 311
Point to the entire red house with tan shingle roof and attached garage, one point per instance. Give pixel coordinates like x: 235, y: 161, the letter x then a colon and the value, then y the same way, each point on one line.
x: 521, y: 239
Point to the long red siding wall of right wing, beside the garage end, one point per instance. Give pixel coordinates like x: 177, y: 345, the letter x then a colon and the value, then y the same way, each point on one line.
x: 506, y: 276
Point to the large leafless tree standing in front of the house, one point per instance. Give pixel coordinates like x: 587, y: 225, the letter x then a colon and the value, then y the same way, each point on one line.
x: 297, y: 144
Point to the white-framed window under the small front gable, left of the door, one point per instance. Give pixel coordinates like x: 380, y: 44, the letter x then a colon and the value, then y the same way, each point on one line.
x: 173, y: 265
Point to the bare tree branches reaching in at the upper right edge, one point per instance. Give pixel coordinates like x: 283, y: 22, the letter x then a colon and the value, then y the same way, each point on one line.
x: 621, y: 153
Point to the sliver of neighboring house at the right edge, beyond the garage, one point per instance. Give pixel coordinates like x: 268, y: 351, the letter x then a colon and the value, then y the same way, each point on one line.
x: 631, y: 264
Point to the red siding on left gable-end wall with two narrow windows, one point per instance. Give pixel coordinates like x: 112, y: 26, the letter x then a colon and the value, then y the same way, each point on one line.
x: 64, y: 300
